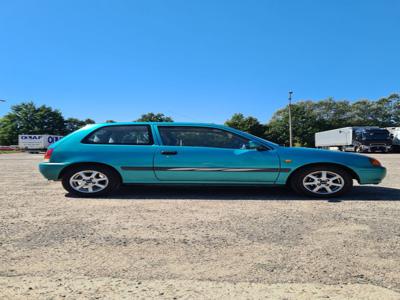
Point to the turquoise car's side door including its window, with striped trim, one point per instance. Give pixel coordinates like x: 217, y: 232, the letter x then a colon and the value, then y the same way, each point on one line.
x: 208, y: 154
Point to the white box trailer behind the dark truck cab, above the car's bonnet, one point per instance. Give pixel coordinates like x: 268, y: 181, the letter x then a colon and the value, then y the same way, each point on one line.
x: 342, y: 138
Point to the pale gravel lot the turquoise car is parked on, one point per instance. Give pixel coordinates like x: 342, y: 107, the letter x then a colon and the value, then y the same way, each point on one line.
x: 180, y: 243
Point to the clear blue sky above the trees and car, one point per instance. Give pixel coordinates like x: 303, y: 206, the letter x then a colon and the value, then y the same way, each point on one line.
x: 197, y: 60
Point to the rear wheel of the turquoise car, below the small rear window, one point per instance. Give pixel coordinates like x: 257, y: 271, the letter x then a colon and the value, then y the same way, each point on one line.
x: 90, y: 181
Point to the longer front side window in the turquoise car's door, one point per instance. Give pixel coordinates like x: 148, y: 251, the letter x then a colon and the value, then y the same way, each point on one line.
x: 200, y: 137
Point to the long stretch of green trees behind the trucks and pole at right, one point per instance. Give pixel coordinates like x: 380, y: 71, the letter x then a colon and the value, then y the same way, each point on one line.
x: 309, y: 117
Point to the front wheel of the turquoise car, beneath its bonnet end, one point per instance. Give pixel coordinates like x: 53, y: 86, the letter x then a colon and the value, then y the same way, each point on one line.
x: 336, y: 181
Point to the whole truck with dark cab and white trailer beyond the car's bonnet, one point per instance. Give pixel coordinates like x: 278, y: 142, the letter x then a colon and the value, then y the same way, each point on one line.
x: 358, y: 139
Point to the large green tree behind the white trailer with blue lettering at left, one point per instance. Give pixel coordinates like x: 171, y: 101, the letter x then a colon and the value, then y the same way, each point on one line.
x: 27, y: 118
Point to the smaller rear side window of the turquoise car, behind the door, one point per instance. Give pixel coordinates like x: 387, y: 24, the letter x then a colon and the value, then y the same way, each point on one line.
x: 121, y: 135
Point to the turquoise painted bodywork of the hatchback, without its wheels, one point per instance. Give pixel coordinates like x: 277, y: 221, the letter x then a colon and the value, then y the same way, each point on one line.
x: 161, y: 161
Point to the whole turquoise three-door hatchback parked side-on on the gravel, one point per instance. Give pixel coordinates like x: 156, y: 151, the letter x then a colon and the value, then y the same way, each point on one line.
x: 97, y: 159
